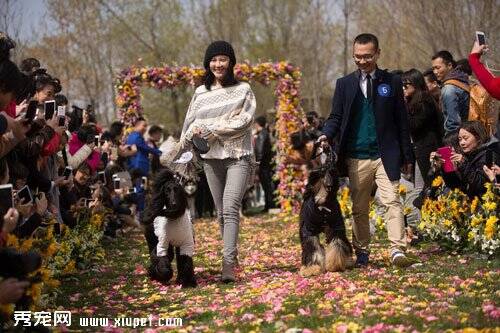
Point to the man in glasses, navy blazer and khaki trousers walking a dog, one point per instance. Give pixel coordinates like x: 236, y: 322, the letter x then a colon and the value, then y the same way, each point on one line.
x: 368, y: 124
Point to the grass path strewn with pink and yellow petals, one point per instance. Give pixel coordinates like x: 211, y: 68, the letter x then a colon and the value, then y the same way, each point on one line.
x: 447, y: 291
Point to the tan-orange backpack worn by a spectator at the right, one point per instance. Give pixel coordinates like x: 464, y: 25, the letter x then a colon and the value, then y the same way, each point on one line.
x: 481, y: 104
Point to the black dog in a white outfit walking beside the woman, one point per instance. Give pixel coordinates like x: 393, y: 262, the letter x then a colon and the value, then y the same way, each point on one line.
x: 167, y: 225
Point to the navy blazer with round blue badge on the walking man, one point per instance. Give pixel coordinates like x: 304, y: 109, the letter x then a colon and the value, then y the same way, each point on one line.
x: 391, y: 119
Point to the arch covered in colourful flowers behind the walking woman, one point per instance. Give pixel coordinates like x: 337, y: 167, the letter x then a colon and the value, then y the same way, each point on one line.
x: 288, y: 111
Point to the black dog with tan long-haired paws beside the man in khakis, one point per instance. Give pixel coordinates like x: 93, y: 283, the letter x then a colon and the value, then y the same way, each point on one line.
x: 320, y: 212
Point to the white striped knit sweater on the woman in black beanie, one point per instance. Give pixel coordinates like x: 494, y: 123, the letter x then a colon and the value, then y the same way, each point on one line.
x: 228, y: 113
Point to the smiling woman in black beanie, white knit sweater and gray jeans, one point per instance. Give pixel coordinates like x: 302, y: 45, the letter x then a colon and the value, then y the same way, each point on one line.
x: 222, y: 111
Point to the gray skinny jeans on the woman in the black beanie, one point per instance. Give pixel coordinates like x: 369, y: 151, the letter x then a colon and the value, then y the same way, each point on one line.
x: 228, y: 180
